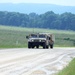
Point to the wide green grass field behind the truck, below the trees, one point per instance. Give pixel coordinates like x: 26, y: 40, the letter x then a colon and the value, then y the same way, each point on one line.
x: 11, y: 37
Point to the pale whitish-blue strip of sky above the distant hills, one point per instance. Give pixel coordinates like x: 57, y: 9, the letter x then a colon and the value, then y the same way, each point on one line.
x: 57, y: 2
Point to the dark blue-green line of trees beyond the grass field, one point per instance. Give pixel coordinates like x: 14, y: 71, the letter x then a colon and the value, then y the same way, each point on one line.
x: 49, y: 20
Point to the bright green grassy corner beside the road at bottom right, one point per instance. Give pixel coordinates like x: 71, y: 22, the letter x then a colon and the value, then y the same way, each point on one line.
x: 69, y: 70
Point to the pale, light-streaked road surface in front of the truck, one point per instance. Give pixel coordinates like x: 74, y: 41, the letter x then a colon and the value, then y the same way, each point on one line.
x: 23, y: 61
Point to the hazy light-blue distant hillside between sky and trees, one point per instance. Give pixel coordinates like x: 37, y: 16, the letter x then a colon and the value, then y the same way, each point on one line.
x: 37, y: 8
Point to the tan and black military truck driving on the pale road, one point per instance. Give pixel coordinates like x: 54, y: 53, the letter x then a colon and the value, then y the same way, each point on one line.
x: 45, y: 40
